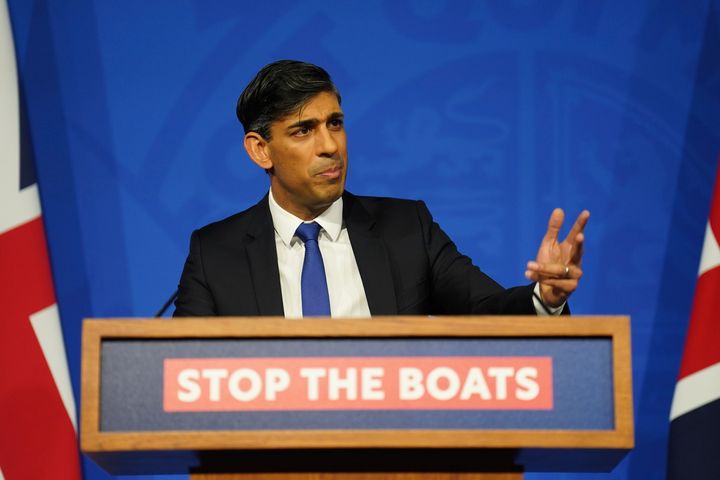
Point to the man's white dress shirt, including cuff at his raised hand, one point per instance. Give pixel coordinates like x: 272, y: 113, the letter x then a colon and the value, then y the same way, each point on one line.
x: 345, y: 287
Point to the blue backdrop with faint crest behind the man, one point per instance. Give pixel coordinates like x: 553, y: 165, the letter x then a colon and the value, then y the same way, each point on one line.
x: 494, y: 112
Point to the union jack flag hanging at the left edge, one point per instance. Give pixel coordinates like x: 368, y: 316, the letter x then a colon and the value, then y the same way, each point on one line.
x: 37, y: 409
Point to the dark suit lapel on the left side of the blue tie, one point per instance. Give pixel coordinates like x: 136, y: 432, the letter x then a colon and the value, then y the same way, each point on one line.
x: 262, y: 258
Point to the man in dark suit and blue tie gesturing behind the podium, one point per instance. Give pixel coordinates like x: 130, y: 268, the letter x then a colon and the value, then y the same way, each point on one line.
x: 362, y: 256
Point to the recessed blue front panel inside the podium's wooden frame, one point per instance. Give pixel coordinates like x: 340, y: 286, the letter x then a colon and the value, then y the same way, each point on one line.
x: 133, y: 380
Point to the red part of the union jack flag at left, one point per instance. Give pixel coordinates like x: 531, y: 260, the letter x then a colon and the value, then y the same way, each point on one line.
x: 38, y: 439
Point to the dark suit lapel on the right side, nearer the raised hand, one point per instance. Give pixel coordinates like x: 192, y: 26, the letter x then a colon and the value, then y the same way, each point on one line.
x: 371, y: 257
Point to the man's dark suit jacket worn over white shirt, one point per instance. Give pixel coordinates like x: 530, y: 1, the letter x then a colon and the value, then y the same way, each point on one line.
x: 408, y: 266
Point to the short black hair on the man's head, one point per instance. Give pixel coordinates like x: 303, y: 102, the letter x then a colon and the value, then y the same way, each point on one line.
x: 278, y: 90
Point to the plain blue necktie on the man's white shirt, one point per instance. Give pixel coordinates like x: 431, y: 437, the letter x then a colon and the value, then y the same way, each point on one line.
x: 316, y: 302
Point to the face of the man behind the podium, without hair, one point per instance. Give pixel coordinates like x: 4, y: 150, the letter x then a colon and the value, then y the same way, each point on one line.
x: 308, y: 153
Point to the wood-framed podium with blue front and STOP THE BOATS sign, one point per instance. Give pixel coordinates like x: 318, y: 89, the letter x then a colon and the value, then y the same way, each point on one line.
x: 387, y: 397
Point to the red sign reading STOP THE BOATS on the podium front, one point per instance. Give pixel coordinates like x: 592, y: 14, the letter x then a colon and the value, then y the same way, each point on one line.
x: 358, y: 383
